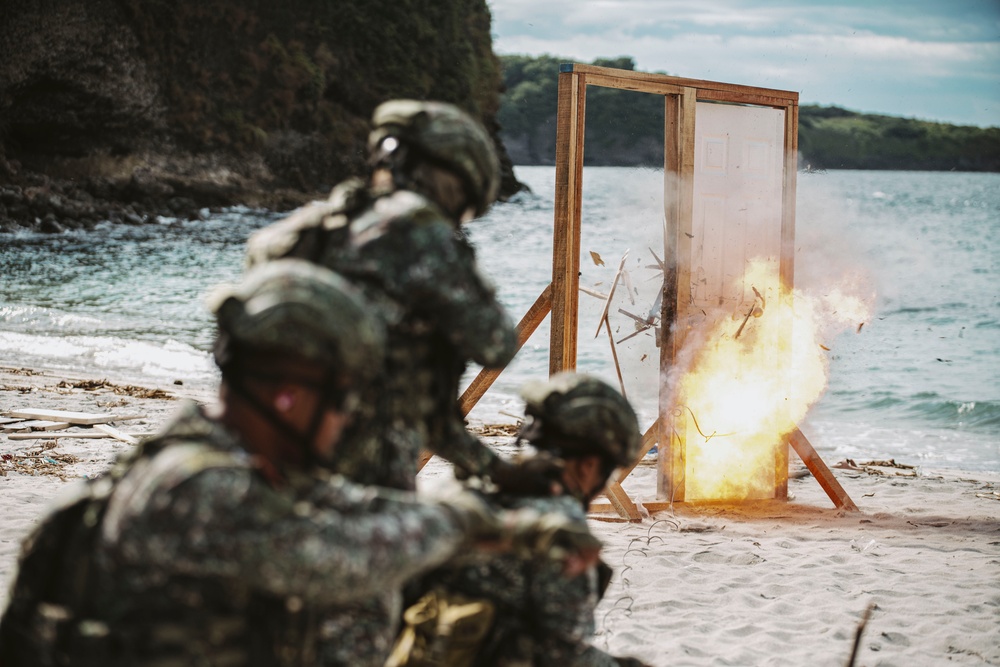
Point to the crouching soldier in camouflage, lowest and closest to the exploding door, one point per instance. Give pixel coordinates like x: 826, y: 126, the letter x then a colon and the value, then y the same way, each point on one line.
x: 541, y: 617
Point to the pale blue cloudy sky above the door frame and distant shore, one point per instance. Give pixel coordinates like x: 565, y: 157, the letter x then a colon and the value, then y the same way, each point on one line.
x: 936, y: 60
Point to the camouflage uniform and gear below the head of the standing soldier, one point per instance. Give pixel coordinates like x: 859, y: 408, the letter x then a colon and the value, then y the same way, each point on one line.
x: 441, y: 313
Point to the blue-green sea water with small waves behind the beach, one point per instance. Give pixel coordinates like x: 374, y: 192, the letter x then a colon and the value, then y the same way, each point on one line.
x: 919, y: 382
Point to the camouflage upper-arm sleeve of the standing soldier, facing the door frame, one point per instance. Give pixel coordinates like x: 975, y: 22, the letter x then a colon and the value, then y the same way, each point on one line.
x: 442, y: 279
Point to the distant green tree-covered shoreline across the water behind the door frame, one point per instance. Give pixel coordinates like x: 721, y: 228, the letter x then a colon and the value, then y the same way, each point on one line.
x: 626, y: 128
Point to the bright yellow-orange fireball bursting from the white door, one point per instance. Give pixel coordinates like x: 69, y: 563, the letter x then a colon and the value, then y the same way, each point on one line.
x: 753, y: 373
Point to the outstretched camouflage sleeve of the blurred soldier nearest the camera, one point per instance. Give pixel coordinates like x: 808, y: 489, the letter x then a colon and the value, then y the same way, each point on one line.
x: 339, y: 542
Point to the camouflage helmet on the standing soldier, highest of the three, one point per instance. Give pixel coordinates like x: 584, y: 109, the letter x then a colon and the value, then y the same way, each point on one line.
x: 444, y: 134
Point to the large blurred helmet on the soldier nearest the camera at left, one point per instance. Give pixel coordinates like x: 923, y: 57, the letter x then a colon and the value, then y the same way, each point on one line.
x: 294, y: 307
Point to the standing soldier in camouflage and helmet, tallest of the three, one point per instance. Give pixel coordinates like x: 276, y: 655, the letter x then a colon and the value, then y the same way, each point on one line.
x: 399, y: 237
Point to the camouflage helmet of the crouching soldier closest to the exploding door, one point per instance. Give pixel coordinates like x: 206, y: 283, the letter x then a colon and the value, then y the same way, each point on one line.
x: 577, y: 414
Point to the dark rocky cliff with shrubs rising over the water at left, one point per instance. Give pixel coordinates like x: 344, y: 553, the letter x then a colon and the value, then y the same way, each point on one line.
x: 127, y: 109
